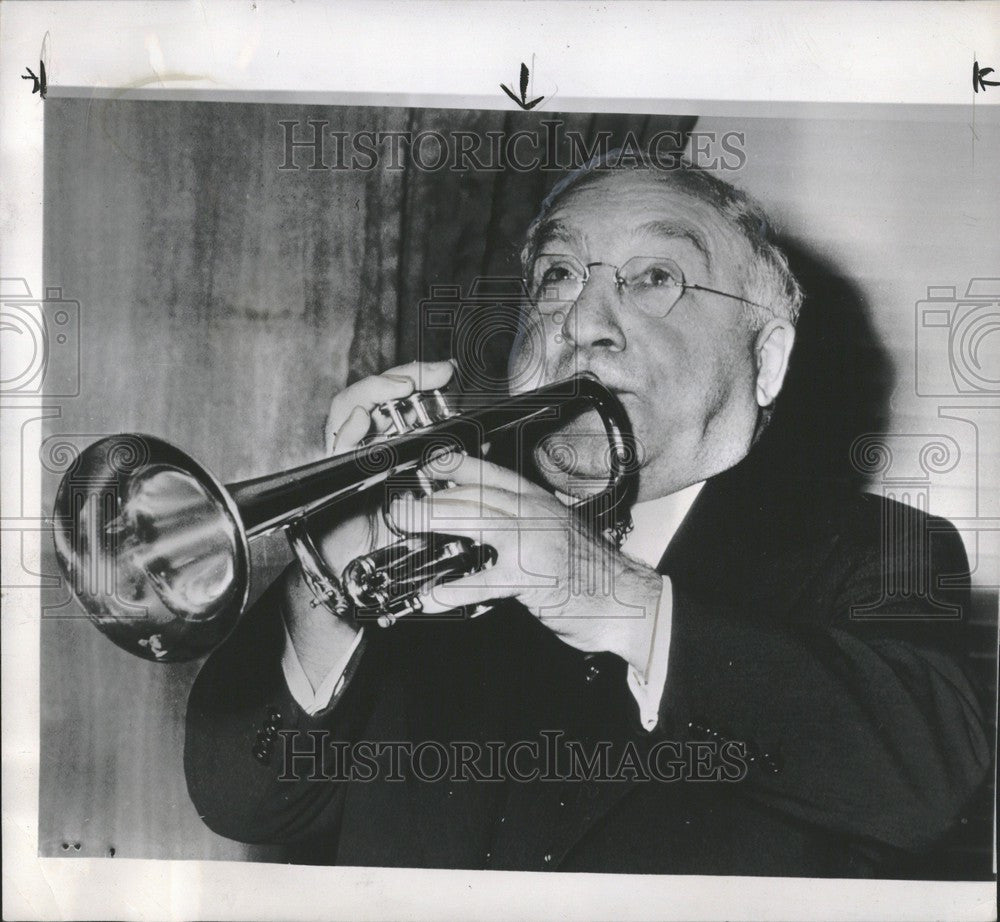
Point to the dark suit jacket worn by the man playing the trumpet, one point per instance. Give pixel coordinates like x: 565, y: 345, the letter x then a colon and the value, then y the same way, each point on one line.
x: 801, y: 627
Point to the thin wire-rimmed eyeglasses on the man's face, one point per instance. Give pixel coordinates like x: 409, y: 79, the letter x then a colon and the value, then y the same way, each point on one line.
x: 650, y: 284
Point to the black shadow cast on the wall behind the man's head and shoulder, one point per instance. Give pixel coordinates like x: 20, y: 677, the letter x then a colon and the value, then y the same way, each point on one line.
x: 838, y: 387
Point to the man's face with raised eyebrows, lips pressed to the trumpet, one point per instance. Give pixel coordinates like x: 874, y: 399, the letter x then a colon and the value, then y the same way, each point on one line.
x: 686, y: 379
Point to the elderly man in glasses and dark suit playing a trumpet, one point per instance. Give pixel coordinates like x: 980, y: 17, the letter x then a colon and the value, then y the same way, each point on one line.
x: 715, y: 708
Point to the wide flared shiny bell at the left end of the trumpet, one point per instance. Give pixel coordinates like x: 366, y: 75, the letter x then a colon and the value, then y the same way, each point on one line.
x: 154, y: 547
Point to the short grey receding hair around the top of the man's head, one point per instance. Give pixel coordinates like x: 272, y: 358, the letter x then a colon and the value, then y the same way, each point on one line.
x: 767, y: 279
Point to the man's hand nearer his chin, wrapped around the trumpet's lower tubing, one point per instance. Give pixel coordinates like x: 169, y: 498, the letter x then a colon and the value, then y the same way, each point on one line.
x: 591, y: 595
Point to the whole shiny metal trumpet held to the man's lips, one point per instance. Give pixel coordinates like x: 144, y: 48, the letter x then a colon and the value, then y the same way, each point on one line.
x: 156, y: 550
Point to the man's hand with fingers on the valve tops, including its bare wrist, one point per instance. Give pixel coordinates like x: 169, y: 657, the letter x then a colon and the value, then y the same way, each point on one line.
x: 352, y: 528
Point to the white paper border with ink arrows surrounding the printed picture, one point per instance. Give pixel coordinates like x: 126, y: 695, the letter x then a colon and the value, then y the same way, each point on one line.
x: 905, y: 64
